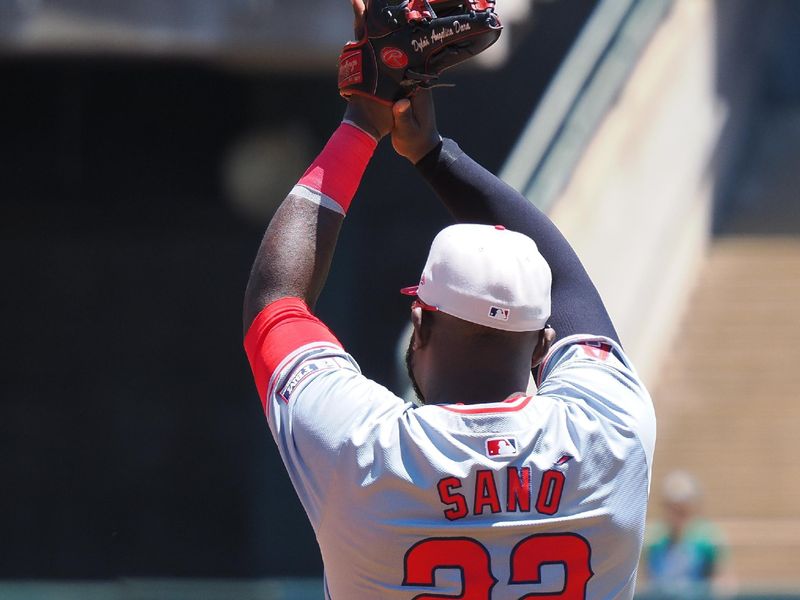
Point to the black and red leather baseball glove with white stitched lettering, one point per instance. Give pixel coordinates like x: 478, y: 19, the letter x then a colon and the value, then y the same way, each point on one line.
x: 406, y: 44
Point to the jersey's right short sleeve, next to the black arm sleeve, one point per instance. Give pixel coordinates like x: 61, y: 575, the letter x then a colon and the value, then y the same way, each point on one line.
x: 596, y: 372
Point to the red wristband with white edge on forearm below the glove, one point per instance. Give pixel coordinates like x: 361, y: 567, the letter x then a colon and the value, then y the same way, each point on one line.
x: 333, y: 178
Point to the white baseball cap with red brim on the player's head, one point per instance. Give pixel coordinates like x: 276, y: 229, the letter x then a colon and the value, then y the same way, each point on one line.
x: 486, y: 275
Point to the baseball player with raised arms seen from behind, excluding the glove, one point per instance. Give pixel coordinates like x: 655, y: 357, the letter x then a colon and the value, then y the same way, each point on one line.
x: 479, y: 491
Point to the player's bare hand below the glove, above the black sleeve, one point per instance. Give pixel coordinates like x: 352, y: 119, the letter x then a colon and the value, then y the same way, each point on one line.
x: 415, y: 134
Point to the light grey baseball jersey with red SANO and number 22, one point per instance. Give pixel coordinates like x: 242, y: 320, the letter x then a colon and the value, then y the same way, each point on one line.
x: 534, y: 495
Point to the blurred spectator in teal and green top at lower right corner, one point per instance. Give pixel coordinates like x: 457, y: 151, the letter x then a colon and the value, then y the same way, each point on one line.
x: 685, y: 556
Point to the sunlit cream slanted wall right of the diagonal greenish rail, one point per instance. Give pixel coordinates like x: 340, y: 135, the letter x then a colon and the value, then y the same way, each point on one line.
x: 639, y: 205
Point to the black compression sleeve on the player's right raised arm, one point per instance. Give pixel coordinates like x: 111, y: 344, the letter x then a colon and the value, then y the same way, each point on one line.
x: 474, y: 195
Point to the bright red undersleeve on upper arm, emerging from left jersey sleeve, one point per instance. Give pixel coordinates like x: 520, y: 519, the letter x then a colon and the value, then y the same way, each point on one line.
x: 278, y: 330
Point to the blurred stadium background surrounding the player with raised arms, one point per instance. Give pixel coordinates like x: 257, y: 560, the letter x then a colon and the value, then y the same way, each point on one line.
x: 143, y: 148
